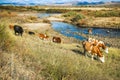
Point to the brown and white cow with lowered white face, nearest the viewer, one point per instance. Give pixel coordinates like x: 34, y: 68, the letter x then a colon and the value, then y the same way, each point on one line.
x: 93, y: 50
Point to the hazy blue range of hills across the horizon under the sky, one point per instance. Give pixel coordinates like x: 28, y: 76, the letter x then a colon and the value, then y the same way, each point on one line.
x: 72, y: 3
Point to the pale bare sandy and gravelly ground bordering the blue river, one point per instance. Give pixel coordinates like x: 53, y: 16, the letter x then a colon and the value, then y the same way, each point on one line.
x: 45, y: 27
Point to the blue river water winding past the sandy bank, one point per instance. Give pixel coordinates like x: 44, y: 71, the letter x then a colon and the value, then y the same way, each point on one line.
x: 70, y: 30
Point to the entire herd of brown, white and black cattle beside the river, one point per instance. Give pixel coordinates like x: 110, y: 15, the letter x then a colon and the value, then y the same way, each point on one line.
x: 91, y: 46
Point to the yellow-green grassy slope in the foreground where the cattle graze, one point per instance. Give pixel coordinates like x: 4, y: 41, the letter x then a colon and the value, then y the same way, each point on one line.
x: 30, y: 58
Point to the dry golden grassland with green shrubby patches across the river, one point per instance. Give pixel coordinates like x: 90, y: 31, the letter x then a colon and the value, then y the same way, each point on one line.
x: 97, y: 18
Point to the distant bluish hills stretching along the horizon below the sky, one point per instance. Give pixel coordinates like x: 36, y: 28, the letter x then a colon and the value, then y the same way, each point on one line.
x: 73, y: 3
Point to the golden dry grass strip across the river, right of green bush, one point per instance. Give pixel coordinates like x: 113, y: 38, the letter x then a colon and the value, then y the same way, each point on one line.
x: 110, y: 22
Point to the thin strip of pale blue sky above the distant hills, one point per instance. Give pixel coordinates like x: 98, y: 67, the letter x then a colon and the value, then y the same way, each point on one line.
x: 49, y: 1
